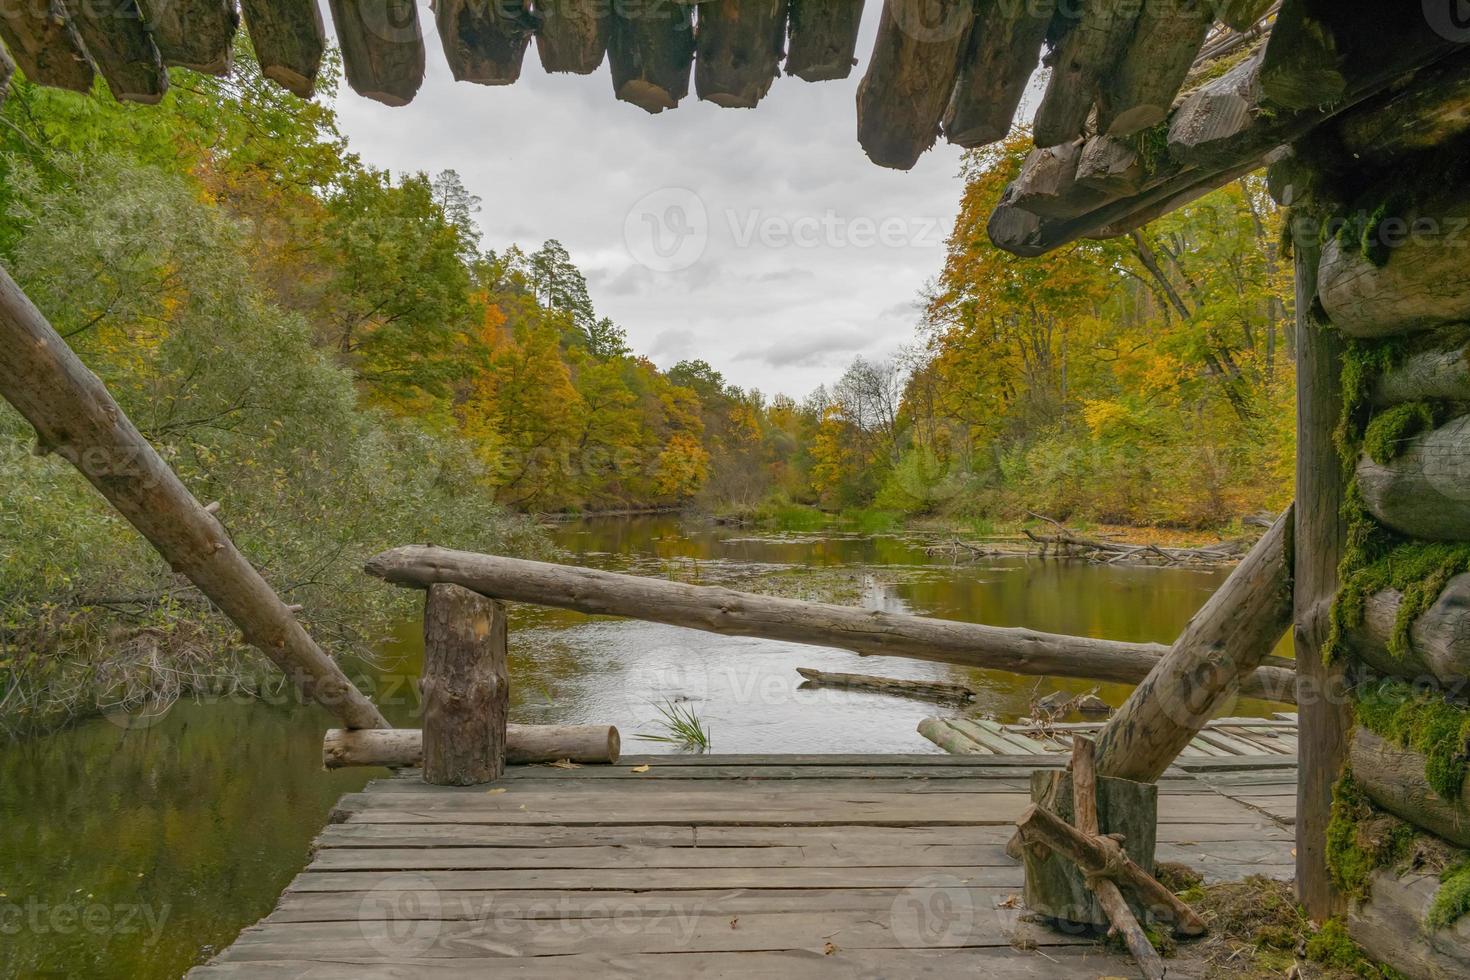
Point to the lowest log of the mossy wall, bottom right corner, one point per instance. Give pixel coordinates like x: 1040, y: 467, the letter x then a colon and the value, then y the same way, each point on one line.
x: 1390, y: 926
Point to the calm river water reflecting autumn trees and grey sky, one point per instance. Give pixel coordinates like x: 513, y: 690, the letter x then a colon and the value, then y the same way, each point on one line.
x: 136, y: 847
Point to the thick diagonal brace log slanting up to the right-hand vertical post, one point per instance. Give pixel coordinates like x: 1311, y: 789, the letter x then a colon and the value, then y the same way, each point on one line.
x: 1225, y: 641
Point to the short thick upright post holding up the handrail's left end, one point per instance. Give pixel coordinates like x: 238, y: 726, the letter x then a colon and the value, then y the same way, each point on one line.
x: 467, y: 691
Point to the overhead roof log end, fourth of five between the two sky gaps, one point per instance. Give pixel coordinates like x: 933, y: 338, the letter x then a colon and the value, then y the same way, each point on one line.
x: 739, y: 51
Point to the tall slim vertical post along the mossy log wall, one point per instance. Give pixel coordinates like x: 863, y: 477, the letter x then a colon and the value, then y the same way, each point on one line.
x: 1321, y: 536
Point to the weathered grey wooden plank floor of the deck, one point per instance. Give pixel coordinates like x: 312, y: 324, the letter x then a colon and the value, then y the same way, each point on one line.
x: 717, y: 868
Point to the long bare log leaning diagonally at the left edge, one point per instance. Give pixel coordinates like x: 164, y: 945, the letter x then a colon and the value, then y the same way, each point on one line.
x: 77, y: 418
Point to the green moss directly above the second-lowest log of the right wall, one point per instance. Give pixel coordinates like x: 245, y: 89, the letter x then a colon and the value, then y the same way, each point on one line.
x: 1424, y: 722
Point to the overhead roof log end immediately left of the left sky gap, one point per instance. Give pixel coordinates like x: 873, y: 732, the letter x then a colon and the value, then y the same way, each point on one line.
x: 383, y: 48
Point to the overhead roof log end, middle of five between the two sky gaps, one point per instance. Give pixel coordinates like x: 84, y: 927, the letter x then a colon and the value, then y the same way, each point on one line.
x: 652, y: 52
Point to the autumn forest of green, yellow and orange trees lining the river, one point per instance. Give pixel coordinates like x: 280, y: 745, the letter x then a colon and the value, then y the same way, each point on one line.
x: 331, y: 353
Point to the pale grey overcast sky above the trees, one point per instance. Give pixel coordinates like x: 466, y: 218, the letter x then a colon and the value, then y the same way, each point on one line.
x: 764, y: 240
